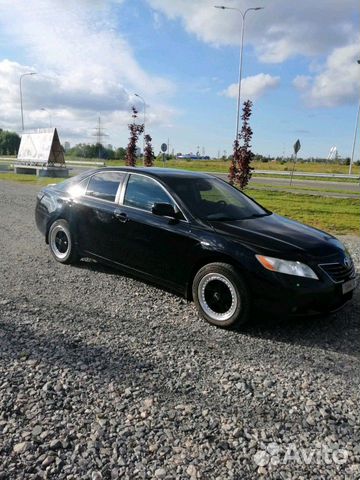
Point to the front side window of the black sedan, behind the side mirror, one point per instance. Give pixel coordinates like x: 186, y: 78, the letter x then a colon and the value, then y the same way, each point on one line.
x: 142, y: 192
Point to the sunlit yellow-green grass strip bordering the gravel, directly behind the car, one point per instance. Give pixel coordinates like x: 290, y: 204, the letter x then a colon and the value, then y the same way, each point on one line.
x: 335, y: 215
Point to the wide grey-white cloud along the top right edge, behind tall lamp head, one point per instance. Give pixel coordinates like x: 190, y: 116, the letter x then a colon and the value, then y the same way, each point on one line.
x: 282, y: 30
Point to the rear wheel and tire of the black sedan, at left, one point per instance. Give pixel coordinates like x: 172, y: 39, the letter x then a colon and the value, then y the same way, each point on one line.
x: 61, y: 243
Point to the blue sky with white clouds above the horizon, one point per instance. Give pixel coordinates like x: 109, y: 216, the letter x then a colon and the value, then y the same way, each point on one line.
x: 182, y: 57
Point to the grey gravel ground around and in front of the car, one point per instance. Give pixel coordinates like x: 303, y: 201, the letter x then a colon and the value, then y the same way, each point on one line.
x: 102, y: 376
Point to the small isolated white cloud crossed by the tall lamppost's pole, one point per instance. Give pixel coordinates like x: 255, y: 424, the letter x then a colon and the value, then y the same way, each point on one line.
x: 253, y: 87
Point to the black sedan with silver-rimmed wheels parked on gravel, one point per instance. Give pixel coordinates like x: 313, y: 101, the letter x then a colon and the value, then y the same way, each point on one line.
x: 197, y: 235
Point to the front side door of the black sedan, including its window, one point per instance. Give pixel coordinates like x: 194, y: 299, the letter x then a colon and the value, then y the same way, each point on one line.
x: 150, y: 243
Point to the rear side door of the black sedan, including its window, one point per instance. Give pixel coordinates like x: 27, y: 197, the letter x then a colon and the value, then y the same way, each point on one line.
x: 95, y: 219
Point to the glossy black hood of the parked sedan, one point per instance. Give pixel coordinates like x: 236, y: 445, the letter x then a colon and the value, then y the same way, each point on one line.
x: 273, y: 233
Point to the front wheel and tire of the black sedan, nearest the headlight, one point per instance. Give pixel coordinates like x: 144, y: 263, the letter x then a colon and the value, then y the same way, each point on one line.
x: 221, y: 296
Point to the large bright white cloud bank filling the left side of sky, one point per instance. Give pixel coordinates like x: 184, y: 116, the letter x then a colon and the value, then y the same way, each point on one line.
x: 84, y: 66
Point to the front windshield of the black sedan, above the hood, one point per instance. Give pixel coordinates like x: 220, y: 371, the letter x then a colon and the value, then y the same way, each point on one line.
x: 213, y: 199
